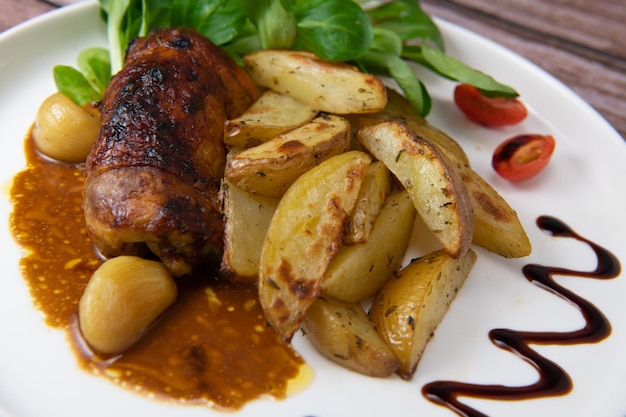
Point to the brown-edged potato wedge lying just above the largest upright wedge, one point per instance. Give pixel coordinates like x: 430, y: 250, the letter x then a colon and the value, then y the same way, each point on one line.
x: 270, y: 168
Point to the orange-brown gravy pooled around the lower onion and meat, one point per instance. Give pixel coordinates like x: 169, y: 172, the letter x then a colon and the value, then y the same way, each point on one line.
x: 212, y: 347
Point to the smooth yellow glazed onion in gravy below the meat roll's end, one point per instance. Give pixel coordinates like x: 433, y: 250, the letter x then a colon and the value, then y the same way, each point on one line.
x: 122, y: 299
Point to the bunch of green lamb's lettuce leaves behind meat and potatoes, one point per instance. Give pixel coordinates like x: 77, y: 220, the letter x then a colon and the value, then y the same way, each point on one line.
x: 384, y: 39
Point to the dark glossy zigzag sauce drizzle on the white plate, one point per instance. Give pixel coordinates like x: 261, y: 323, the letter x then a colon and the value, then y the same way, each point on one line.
x: 553, y: 380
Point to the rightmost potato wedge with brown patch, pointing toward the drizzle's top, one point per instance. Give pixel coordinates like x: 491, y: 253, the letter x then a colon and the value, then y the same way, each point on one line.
x: 497, y: 227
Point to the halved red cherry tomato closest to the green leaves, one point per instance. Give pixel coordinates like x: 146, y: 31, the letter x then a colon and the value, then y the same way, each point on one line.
x: 488, y: 111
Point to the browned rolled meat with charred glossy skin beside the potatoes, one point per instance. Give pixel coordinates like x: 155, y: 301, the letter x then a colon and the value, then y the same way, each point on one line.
x: 152, y: 177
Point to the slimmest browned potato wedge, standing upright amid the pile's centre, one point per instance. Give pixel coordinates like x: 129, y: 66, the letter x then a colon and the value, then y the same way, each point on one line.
x: 374, y: 190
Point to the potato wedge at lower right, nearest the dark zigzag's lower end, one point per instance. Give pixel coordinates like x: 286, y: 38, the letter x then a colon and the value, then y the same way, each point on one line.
x: 409, y: 307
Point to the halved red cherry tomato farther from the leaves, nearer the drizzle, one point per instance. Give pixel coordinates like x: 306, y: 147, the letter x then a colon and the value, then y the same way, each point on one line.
x: 523, y: 156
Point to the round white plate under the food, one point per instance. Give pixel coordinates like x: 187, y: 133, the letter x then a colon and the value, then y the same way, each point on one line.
x: 583, y: 185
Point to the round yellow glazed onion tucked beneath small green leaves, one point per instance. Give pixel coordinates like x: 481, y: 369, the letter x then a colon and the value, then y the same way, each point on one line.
x: 65, y: 131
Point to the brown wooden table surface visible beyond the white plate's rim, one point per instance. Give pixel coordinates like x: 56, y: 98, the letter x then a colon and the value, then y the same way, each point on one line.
x: 580, y: 42
